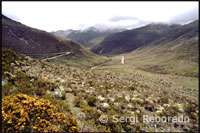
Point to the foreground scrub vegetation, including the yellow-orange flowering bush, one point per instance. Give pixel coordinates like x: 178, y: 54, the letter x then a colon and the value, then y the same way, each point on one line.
x: 86, y: 94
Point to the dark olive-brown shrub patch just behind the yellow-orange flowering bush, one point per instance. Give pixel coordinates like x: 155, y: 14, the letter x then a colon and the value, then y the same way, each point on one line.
x: 31, y: 85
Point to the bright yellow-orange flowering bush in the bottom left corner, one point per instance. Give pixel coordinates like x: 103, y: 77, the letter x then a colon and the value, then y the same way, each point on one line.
x: 24, y: 113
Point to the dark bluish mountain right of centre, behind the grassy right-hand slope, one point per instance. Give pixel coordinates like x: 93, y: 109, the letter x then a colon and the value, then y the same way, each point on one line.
x: 129, y: 40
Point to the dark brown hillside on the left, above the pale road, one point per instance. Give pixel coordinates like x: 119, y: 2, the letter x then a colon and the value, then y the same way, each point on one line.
x: 41, y: 44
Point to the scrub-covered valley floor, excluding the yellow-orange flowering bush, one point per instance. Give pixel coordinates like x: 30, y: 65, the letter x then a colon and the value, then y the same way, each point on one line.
x: 109, y: 89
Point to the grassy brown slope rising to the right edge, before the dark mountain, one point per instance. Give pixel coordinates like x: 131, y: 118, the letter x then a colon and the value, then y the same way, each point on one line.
x: 175, y: 53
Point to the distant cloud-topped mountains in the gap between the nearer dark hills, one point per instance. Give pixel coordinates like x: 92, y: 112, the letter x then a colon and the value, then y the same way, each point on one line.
x: 83, y: 37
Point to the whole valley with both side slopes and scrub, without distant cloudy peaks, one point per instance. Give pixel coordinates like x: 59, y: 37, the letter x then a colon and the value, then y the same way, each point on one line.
x: 84, y: 90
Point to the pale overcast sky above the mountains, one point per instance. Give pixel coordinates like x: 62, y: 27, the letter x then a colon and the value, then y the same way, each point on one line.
x: 52, y: 16
